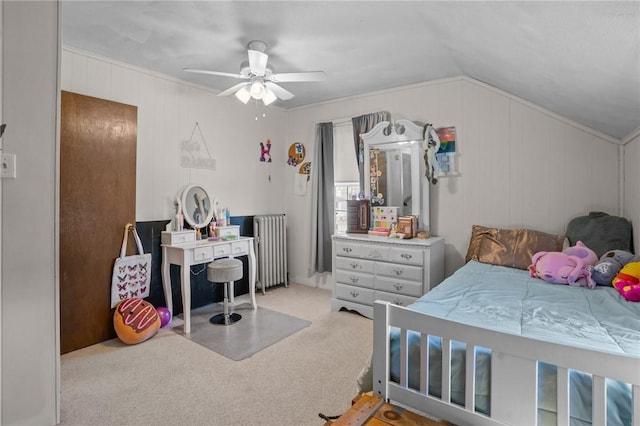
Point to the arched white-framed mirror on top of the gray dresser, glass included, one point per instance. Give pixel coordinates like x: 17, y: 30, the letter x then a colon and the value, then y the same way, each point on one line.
x: 392, y: 161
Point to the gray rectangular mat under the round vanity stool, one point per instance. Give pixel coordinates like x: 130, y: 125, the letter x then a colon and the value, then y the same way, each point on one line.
x: 257, y: 330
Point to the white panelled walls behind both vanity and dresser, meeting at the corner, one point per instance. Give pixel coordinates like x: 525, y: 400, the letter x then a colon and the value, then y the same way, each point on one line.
x: 520, y: 165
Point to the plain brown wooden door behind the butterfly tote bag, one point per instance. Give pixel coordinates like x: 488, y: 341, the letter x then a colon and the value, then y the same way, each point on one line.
x: 97, y: 199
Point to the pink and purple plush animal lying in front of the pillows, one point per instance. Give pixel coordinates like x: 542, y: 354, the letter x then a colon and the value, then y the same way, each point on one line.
x: 561, y: 268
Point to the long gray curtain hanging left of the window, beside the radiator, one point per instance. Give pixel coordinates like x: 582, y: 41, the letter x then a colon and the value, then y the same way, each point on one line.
x: 322, y: 199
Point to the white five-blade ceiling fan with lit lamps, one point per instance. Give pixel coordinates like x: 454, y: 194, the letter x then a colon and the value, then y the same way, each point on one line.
x: 261, y: 80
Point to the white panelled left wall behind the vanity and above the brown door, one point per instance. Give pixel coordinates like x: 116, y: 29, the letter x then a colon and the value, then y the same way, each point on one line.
x: 168, y: 110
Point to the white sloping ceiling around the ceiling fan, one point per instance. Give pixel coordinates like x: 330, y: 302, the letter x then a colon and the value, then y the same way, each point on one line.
x: 578, y: 59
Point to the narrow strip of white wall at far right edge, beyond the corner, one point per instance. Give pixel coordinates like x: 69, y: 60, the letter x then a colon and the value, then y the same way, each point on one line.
x: 631, y: 187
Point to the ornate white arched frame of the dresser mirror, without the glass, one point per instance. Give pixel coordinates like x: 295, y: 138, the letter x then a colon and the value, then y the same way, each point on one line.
x: 387, y: 132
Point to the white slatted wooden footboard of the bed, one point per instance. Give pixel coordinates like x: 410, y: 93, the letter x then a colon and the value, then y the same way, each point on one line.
x: 513, y: 371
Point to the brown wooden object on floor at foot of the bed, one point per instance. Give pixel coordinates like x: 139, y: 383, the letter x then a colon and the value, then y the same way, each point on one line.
x: 371, y: 410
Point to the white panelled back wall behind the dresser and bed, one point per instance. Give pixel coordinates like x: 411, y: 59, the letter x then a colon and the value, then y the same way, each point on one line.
x: 521, y: 166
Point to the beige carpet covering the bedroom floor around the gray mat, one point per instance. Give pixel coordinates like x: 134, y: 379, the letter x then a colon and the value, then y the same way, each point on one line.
x: 171, y: 380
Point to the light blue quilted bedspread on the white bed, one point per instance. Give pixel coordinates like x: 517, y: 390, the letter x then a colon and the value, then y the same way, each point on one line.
x: 509, y: 300
